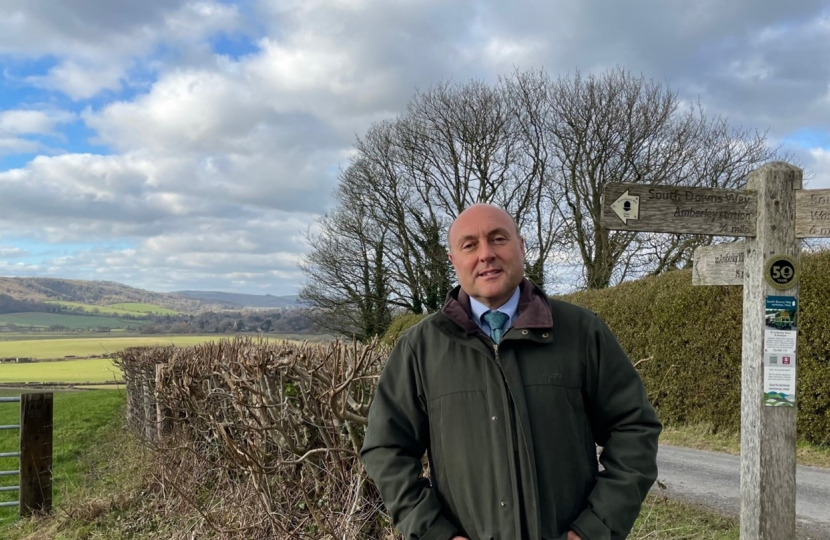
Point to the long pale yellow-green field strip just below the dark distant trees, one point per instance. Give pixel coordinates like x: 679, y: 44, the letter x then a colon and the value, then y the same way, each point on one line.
x: 86, y: 347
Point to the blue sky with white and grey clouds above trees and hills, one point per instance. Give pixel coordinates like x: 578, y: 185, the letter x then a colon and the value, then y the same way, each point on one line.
x: 175, y: 145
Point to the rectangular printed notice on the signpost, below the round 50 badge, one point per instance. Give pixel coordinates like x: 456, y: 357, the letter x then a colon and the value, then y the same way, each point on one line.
x: 780, y: 333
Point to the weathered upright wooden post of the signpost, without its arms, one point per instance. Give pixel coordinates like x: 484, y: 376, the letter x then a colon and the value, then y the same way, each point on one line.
x: 768, y: 434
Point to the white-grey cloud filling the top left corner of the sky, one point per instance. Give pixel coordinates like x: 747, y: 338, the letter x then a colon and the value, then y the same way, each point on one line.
x: 96, y: 43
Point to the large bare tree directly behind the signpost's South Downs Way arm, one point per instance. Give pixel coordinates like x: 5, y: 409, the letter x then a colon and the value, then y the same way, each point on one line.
x: 616, y: 127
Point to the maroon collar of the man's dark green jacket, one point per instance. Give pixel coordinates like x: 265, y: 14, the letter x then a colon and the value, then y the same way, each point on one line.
x: 534, y: 310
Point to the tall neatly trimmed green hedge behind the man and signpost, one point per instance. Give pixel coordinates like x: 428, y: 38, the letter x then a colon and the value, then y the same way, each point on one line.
x: 691, y: 339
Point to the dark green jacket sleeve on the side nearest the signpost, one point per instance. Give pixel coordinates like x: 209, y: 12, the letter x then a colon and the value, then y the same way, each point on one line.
x: 626, y: 426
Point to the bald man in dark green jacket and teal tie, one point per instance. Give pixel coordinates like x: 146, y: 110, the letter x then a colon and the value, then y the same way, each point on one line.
x: 510, y: 407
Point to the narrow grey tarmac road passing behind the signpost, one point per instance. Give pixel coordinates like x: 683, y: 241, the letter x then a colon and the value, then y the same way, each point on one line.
x: 713, y: 480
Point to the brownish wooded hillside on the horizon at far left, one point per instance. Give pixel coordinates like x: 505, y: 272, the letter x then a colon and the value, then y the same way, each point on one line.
x: 99, y: 293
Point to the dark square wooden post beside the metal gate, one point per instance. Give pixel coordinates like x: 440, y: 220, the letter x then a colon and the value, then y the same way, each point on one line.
x: 35, y: 453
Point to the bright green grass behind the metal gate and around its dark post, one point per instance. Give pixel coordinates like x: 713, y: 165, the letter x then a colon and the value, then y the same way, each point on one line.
x: 79, y: 420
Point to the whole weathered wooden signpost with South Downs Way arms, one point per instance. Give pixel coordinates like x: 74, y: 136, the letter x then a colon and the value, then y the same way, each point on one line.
x: 772, y: 213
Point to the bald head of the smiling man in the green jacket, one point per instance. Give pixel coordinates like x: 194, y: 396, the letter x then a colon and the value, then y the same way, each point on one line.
x: 487, y: 253
